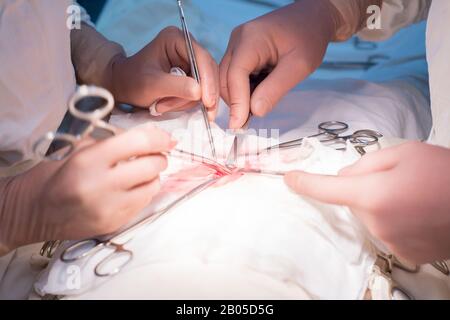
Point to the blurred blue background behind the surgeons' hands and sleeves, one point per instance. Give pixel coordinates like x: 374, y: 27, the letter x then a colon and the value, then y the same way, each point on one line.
x: 134, y: 23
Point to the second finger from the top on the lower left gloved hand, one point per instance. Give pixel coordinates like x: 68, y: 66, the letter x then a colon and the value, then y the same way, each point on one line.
x: 143, y: 170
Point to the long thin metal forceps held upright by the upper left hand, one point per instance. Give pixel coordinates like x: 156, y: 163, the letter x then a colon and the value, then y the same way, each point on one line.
x: 196, y: 74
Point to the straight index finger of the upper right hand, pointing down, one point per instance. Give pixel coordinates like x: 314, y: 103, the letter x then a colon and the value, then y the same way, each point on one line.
x: 241, y: 66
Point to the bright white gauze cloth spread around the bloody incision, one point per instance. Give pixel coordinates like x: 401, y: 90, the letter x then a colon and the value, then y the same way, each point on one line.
x: 254, y: 225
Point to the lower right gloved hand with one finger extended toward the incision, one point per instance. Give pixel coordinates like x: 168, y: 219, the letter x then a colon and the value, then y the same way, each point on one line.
x: 402, y: 194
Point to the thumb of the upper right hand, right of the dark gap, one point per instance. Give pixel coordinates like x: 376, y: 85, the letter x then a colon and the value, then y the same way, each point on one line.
x: 284, y: 77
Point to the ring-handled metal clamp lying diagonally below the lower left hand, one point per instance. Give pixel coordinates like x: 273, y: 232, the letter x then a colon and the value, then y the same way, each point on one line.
x: 87, y: 248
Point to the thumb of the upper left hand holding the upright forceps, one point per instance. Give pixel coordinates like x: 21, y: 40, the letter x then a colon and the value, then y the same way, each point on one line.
x: 170, y: 85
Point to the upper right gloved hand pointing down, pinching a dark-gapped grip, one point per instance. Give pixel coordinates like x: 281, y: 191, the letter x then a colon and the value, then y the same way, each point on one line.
x: 291, y: 42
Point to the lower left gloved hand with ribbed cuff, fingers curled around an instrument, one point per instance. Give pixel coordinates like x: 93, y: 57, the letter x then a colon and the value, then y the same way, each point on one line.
x: 95, y: 192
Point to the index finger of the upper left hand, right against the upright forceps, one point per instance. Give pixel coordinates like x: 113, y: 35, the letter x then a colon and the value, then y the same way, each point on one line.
x: 209, y: 76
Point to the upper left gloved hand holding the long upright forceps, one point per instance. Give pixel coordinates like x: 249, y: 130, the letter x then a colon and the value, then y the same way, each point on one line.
x: 145, y: 77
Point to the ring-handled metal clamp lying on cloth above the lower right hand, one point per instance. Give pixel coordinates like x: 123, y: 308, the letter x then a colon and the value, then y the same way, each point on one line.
x: 330, y: 132
